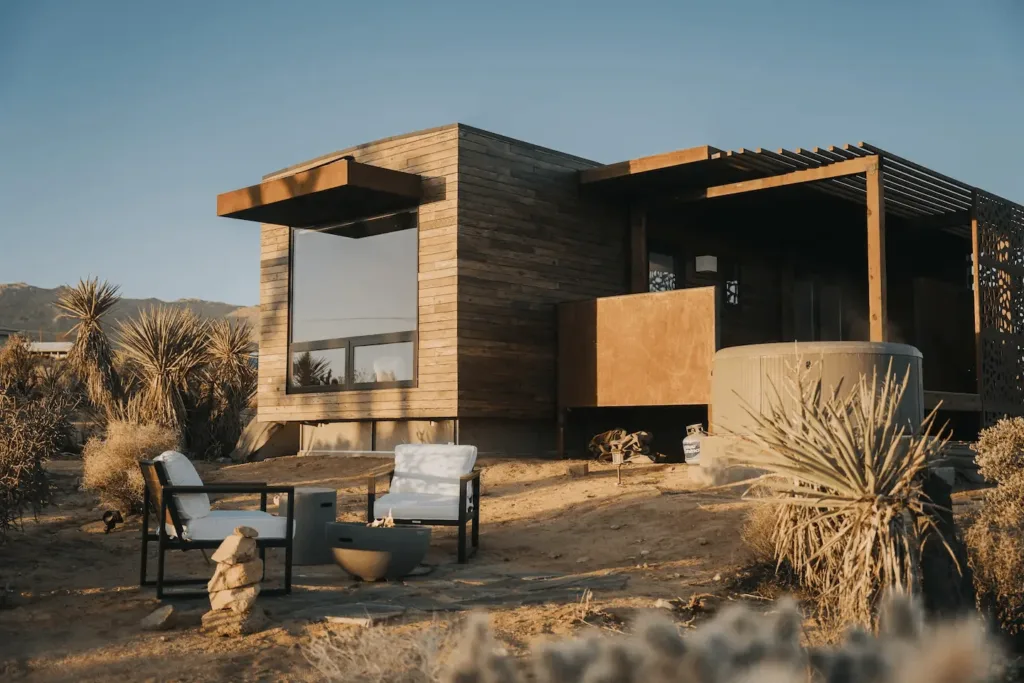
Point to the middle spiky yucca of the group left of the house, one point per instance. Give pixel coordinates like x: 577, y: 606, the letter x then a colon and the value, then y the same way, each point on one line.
x: 164, y: 350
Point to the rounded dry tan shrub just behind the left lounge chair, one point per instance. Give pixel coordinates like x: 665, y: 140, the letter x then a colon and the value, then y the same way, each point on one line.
x: 111, y: 463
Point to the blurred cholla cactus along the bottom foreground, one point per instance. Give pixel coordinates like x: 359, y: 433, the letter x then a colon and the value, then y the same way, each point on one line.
x: 743, y: 647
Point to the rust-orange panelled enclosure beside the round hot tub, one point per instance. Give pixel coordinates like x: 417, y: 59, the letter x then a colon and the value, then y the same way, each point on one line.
x: 642, y: 350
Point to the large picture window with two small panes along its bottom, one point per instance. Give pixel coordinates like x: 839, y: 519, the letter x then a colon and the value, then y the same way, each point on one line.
x: 354, y: 306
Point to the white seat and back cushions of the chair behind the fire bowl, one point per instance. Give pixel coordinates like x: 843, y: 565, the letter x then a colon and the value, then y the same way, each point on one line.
x: 432, y: 468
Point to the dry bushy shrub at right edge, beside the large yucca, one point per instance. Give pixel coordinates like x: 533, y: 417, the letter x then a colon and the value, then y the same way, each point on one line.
x: 996, y: 538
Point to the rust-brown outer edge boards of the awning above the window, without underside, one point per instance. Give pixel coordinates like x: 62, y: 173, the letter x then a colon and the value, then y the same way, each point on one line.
x: 329, y: 177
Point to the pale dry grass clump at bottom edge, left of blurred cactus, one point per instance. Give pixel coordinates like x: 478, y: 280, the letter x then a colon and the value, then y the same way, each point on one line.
x: 379, y: 656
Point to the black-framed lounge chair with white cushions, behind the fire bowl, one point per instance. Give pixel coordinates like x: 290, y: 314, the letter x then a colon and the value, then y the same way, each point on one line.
x: 434, y: 486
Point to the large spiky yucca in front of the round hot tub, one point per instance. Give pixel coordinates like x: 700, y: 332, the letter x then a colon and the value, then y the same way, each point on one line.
x: 846, y: 476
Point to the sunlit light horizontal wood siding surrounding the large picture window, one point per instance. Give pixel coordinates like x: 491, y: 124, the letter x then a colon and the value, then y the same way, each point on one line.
x: 434, y: 155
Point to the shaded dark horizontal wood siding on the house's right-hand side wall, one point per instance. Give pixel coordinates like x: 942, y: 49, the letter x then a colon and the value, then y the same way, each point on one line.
x: 527, y: 242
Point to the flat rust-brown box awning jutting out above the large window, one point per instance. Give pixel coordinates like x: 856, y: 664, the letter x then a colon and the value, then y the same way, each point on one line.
x: 333, y: 193
